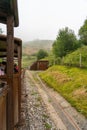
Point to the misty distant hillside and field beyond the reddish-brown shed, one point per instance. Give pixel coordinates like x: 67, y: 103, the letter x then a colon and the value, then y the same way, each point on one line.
x: 31, y: 48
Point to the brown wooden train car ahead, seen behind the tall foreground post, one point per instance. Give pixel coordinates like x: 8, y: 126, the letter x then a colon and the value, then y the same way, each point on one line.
x: 11, y: 100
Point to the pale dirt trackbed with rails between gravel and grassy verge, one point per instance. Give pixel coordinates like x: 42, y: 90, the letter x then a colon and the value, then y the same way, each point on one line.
x: 64, y: 116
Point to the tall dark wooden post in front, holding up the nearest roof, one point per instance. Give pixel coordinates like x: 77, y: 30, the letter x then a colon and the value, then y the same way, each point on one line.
x: 10, y: 66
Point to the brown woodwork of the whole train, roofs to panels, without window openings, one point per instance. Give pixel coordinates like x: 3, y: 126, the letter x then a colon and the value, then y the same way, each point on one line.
x: 10, y: 47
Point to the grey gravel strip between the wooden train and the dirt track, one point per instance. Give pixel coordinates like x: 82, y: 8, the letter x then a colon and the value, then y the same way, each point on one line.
x: 33, y: 112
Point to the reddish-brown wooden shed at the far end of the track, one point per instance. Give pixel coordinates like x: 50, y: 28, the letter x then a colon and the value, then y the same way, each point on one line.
x: 40, y: 65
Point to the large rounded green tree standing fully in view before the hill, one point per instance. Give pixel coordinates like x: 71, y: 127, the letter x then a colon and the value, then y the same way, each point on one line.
x: 65, y: 42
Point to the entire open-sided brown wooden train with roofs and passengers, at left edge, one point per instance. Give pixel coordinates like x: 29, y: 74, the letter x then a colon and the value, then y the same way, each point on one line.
x: 10, y: 80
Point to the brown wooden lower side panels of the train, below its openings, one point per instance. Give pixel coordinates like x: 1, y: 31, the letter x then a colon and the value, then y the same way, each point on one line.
x: 4, y: 102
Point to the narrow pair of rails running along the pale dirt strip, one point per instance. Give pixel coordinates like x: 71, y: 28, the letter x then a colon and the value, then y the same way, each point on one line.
x: 67, y: 119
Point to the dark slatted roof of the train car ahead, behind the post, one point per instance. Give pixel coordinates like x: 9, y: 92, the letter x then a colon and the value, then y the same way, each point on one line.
x: 3, y: 46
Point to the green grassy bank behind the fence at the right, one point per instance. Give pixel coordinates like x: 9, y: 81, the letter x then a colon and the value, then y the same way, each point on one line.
x: 77, y: 58
